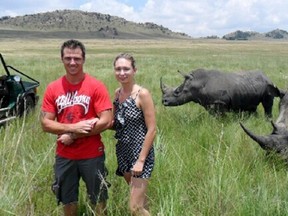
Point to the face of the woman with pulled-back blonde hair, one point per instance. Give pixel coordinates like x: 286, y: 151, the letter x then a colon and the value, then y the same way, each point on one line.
x: 124, y: 72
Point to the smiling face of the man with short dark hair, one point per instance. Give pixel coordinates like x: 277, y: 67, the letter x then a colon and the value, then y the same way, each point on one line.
x: 73, y: 61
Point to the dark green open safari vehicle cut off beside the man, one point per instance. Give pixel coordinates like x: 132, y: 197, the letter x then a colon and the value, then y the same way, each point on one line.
x: 18, y: 92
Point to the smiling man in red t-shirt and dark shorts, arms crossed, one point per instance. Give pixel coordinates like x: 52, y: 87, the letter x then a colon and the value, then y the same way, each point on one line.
x: 77, y: 108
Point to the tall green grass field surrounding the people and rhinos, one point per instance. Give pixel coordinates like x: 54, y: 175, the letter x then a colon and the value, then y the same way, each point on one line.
x: 205, y: 165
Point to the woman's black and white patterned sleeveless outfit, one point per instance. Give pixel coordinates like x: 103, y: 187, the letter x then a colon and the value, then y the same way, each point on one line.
x: 130, y: 129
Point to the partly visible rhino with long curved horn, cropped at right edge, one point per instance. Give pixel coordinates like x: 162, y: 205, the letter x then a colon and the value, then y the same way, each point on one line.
x: 277, y: 141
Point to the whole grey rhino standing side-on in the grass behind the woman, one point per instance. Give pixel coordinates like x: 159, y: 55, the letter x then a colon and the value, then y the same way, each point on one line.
x: 222, y: 92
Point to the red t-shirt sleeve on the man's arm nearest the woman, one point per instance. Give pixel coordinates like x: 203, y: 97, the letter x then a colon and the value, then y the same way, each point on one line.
x: 102, y: 100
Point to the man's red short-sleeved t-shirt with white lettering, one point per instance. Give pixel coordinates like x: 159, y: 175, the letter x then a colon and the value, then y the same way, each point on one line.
x: 73, y: 103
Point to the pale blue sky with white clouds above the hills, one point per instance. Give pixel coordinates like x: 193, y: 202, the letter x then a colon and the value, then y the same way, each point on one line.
x: 196, y: 18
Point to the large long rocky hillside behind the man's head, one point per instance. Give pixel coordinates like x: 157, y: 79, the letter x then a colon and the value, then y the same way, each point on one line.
x: 76, y: 23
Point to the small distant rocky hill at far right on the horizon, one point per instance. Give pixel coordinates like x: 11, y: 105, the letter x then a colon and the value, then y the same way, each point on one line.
x: 250, y: 35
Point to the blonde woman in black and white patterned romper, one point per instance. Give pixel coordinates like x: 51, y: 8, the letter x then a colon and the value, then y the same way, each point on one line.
x: 135, y: 125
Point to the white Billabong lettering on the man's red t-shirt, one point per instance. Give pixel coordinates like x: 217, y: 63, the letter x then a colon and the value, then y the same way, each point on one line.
x: 71, y: 99
